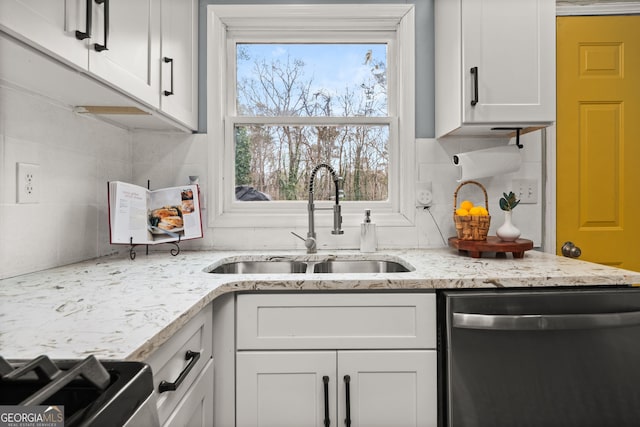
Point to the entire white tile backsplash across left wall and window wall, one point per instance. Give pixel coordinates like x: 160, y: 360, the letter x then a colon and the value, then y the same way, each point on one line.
x: 78, y: 155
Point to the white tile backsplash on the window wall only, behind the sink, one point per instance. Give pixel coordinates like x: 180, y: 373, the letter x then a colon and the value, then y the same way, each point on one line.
x: 168, y: 160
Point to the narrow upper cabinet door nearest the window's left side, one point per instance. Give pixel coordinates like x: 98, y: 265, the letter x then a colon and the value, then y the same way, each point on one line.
x: 179, y: 75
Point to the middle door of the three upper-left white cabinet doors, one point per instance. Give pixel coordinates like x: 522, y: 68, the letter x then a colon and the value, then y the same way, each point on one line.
x: 131, y: 61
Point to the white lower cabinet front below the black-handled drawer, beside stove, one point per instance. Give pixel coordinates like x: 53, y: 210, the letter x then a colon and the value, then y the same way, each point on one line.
x: 196, y: 408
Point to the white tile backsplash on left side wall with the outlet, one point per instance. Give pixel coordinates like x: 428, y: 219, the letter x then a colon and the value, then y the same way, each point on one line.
x: 77, y: 156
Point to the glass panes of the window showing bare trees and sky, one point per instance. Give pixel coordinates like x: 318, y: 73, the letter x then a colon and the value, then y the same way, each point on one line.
x: 304, y: 81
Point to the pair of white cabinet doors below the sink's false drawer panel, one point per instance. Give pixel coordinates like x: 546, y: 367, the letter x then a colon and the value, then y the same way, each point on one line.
x: 369, y: 388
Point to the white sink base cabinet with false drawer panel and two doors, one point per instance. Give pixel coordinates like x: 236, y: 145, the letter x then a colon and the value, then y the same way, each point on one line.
x: 338, y: 359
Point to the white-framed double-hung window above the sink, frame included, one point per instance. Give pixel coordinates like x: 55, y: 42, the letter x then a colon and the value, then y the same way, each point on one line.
x: 292, y: 86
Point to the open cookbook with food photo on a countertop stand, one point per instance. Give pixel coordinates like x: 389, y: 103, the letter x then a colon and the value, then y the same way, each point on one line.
x: 141, y: 216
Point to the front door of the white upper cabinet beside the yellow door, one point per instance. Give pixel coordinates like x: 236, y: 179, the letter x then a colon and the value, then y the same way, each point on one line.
x: 512, y: 44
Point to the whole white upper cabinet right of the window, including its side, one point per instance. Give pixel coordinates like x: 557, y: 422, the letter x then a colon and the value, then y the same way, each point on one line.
x: 495, y: 65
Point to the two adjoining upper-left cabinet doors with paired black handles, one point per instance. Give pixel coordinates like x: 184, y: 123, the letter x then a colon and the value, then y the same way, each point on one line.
x: 117, y: 42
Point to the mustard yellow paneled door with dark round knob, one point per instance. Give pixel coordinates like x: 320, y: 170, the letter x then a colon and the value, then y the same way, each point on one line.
x: 598, y: 138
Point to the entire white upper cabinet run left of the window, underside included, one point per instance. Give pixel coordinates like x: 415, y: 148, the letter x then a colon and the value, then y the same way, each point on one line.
x: 142, y: 51
